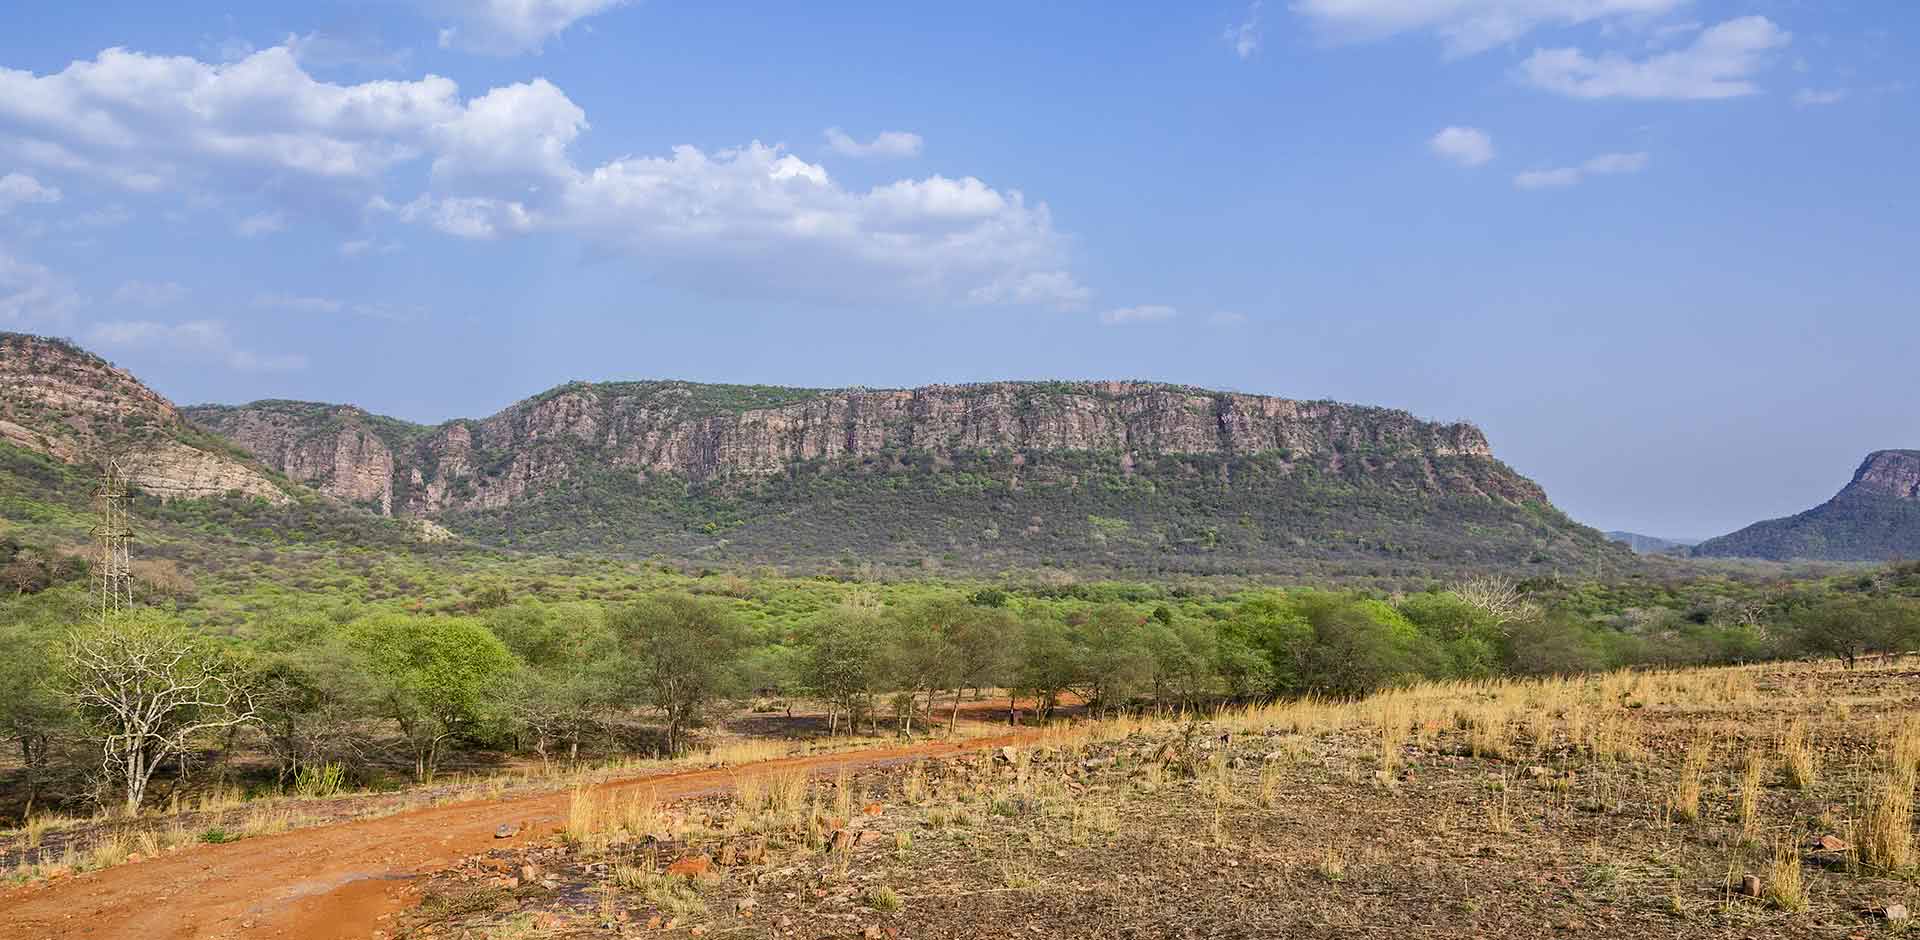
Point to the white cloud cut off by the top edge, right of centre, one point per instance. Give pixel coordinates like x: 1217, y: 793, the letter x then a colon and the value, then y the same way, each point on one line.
x: 1470, y: 26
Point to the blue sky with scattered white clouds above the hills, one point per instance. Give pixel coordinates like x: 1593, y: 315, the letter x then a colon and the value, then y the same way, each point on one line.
x: 1662, y: 250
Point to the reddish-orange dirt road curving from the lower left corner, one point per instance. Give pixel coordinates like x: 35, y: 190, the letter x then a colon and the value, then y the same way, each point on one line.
x: 337, y: 881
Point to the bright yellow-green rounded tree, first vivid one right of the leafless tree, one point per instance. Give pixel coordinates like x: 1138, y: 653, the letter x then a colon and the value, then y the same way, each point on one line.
x: 435, y: 676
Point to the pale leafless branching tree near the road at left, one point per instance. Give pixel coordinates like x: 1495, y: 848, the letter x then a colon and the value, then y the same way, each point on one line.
x: 151, y: 690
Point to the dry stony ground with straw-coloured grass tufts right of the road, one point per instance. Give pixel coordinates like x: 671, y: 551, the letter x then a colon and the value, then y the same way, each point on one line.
x: 1545, y: 812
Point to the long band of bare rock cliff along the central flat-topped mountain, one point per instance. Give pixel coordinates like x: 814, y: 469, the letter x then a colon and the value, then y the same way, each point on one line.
x: 719, y: 435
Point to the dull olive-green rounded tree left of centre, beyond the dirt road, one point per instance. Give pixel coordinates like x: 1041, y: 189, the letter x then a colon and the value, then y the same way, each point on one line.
x: 683, y: 657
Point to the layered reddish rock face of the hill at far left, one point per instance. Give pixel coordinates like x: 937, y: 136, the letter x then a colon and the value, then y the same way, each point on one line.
x: 74, y: 406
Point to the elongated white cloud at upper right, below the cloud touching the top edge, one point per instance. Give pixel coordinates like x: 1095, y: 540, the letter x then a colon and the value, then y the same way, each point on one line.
x: 1719, y: 64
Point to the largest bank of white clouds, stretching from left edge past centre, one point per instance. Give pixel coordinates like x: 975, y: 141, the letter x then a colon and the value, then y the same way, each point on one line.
x: 752, y: 220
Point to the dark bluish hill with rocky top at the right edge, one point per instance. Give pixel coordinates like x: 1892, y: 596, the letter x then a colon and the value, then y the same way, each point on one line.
x: 1875, y: 519
